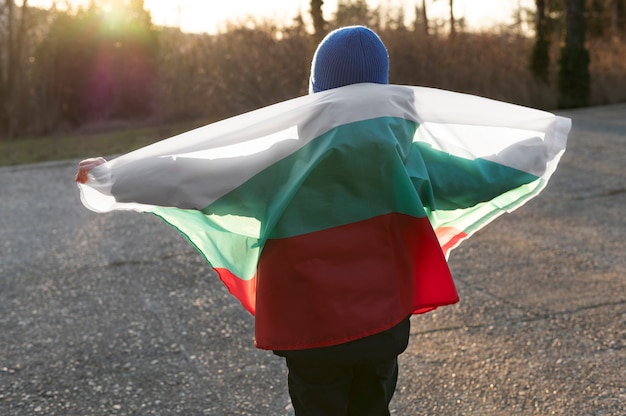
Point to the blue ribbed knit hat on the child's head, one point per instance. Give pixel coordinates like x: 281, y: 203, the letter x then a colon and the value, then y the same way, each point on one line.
x: 349, y: 55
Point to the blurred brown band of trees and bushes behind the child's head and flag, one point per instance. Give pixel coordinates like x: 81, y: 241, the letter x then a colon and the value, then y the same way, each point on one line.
x: 94, y: 69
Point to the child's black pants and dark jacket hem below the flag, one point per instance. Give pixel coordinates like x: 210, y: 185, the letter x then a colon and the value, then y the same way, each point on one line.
x: 356, y: 378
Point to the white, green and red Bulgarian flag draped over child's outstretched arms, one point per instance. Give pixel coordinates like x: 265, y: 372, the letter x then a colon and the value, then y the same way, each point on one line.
x: 330, y: 216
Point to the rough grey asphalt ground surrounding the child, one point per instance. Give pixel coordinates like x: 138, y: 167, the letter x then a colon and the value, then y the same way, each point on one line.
x: 117, y: 315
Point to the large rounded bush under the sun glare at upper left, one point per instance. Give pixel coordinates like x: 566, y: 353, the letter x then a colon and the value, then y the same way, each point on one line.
x: 99, y: 64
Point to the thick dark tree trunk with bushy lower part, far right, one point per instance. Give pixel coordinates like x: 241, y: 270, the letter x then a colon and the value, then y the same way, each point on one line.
x: 574, y: 77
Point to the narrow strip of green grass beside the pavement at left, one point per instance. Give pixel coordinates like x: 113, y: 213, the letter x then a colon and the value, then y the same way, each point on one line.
x: 76, y: 146
